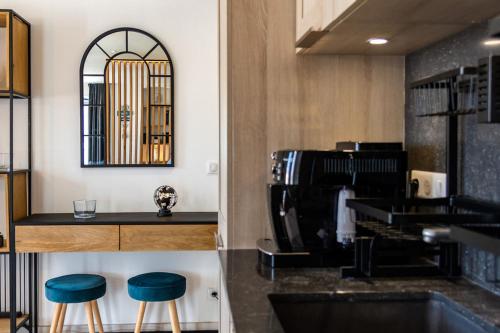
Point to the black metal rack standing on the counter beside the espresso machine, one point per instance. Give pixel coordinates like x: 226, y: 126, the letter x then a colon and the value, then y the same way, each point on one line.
x: 391, y: 240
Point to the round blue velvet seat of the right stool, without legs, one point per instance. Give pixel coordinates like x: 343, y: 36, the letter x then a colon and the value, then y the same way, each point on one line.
x: 156, y: 287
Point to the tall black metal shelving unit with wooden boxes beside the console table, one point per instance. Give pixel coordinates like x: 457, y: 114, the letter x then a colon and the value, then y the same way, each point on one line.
x: 18, y: 272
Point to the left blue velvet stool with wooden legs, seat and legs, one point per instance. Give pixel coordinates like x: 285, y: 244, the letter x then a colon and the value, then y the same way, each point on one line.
x: 75, y: 288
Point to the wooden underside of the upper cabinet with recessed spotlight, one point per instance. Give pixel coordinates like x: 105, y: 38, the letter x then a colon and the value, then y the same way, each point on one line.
x: 408, y: 25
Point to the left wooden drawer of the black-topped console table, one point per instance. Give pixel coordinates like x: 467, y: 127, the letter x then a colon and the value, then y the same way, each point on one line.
x: 67, y: 238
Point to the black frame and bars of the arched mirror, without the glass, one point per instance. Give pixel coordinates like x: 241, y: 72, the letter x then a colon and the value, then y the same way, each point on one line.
x: 109, y: 58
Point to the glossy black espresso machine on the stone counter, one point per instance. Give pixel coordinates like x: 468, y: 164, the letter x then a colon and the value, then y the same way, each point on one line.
x: 311, y: 225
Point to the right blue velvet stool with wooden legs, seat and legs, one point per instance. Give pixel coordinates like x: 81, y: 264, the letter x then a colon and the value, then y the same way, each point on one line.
x: 157, y: 287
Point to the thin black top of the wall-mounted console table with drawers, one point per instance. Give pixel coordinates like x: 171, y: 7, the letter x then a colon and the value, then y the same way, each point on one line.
x: 120, y: 219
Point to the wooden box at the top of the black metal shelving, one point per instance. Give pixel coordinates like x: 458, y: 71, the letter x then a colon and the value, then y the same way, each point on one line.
x: 14, y: 36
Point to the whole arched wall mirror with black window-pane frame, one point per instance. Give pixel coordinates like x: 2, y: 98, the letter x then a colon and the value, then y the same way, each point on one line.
x: 127, y: 101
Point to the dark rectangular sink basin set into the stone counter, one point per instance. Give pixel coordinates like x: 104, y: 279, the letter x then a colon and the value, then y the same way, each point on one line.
x: 373, y: 313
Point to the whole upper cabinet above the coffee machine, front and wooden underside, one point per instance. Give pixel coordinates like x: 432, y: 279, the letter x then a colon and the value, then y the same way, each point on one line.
x: 345, y: 26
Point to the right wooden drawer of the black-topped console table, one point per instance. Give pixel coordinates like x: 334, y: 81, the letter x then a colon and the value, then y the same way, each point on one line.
x: 168, y: 237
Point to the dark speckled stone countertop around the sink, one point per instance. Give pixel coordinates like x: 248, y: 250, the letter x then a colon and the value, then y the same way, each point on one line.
x: 248, y: 288
